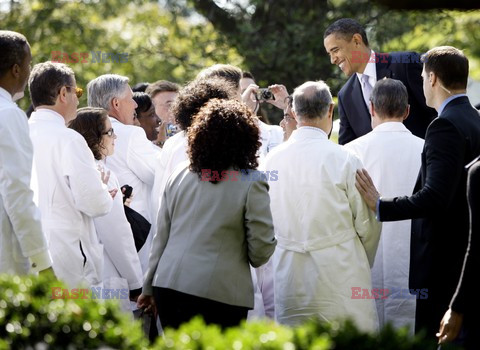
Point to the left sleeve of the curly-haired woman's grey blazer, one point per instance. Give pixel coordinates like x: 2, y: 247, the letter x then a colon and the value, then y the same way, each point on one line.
x: 159, y: 243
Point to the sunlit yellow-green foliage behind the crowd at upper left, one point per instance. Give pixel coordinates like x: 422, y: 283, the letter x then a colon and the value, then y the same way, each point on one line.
x: 160, y: 44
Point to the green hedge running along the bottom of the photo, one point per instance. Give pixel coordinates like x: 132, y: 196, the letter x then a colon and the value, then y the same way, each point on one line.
x: 29, y: 316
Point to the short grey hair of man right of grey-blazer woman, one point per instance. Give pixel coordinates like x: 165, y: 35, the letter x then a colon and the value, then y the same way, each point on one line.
x: 312, y: 100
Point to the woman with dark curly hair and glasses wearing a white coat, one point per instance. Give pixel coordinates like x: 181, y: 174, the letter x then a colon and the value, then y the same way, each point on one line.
x: 122, y: 268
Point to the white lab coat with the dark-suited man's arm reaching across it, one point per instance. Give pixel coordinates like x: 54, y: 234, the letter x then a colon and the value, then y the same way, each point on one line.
x: 392, y: 157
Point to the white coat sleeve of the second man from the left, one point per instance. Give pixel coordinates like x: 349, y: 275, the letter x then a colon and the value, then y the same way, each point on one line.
x: 90, y: 194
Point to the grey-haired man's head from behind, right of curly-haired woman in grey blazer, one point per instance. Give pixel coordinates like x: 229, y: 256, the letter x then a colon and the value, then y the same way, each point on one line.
x: 313, y: 105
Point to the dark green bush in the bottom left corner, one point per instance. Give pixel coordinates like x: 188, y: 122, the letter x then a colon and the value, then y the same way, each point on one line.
x: 29, y: 316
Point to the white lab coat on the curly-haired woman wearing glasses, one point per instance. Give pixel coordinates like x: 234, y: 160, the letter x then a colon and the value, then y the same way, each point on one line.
x: 122, y: 269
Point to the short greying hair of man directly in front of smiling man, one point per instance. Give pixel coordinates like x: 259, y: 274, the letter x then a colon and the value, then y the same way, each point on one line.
x: 390, y: 98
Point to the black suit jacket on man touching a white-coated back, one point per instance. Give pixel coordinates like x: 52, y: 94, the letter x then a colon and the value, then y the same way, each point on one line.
x: 439, y: 205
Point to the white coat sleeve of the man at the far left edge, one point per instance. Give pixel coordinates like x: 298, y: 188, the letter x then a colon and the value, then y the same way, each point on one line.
x: 16, y: 157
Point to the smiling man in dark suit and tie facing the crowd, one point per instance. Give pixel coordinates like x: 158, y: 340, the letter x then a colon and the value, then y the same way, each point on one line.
x: 347, y: 45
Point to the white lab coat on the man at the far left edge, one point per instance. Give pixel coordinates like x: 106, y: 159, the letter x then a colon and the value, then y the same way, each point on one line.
x: 21, y: 235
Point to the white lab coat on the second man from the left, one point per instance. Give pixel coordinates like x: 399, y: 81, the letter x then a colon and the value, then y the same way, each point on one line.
x: 70, y: 194
